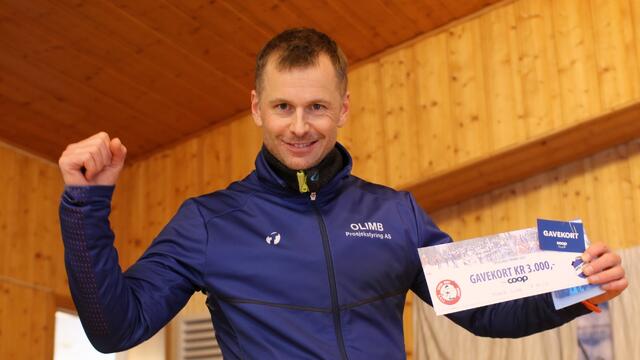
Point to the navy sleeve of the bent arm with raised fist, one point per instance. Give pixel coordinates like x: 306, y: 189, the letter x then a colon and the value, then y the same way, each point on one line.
x: 120, y: 310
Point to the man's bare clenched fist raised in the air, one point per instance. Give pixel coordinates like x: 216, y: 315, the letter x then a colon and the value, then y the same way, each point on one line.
x: 97, y: 160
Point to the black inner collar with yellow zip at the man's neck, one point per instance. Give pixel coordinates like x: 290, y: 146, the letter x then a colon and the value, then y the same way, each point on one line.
x: 309, y: 180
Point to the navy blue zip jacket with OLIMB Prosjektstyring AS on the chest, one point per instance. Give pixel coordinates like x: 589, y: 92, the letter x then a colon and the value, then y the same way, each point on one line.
x: 287, y: 275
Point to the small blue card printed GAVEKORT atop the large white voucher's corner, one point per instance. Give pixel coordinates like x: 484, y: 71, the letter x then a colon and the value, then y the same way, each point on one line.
x: 561, y: 235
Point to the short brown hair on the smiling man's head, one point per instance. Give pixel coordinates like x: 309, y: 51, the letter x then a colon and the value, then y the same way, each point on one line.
x: 300, y: 48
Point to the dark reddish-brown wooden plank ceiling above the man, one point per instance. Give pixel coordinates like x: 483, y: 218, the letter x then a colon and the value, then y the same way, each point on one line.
x: 153, y: 72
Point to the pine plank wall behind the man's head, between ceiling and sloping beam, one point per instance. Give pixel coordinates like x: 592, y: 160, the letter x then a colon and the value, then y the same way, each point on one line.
x: 518, y: 71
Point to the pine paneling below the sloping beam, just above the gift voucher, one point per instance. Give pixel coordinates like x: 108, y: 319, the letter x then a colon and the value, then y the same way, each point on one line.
x: 603, y: 190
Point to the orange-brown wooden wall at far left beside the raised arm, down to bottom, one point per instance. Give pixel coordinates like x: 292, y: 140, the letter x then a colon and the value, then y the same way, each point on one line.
x: 32, y: 277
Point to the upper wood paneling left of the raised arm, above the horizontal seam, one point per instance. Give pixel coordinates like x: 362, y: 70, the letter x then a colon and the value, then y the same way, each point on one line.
x: 30, y: 244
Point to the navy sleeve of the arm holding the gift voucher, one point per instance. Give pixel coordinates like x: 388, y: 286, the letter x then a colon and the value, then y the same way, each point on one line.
x: 511, y: 319
